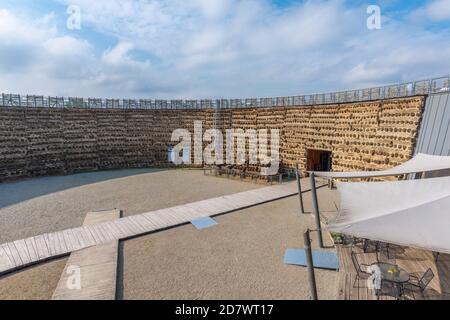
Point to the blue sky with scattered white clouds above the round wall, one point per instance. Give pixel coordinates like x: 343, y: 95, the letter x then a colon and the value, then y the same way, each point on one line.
x: 194, y: 49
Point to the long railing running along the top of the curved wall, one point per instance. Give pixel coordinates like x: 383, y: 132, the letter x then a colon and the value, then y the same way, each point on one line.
x: 422, y: 87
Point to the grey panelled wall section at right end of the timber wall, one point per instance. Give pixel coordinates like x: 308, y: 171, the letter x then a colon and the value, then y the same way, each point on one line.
x: 434, y: 134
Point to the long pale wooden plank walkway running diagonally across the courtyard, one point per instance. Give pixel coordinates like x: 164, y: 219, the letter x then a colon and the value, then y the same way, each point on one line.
x: 22, y: 253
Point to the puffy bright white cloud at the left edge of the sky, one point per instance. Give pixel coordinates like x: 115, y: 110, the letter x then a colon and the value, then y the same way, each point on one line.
x: 33, y: 47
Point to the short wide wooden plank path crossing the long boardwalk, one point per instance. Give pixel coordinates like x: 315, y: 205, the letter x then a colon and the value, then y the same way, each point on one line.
x: 95, y: 266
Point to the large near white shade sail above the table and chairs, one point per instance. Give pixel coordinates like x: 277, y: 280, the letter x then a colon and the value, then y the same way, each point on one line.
x: 414, y: 213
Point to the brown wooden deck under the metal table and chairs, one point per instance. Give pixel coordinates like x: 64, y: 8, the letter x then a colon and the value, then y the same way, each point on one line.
x: 414, y: 261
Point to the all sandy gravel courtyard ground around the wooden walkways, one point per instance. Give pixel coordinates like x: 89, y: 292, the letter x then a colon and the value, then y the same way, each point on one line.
x: 241, y: 258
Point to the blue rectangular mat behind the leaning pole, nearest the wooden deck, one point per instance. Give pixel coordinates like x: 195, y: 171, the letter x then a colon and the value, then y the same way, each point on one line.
x: 321, y: 259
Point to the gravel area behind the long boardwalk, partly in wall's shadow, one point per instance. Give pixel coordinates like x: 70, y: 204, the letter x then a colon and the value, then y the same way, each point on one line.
x: 44, y: 209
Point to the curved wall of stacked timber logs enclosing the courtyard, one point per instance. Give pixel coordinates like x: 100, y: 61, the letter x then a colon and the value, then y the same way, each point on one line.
x: 362, y: 136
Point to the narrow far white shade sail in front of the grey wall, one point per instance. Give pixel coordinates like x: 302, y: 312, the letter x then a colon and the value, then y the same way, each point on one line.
x: 420, y: 163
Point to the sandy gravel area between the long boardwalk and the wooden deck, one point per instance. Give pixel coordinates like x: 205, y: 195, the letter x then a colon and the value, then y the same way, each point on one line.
x: 240, y: 258
